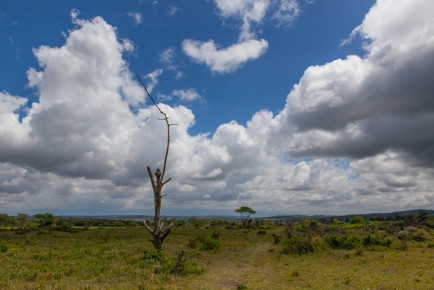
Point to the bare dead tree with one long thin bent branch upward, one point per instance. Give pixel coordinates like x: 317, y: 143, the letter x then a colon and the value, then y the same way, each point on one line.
x: 159, y: 233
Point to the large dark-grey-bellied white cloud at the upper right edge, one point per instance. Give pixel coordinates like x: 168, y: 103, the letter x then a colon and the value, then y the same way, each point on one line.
x: 363, y: 106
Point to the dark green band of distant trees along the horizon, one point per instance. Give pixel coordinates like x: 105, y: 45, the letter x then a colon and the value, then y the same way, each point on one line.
x: 49, y: 221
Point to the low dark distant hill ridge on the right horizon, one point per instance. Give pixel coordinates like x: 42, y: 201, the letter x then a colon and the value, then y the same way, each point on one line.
x: 343, y: 217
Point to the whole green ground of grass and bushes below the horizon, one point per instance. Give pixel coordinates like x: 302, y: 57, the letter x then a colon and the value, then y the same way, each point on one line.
x: 52, y: 252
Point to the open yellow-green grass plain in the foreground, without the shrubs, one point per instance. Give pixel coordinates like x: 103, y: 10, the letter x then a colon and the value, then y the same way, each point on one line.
x: 113, y: 258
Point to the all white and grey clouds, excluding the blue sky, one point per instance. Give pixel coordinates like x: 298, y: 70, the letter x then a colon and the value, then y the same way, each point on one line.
x: 355, y: 134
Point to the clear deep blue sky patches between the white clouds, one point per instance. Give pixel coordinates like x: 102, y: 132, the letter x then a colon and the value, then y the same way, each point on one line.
x: 312, y: 38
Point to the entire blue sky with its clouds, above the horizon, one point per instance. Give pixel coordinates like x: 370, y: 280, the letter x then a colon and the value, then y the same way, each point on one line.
x: 285, y: 106
